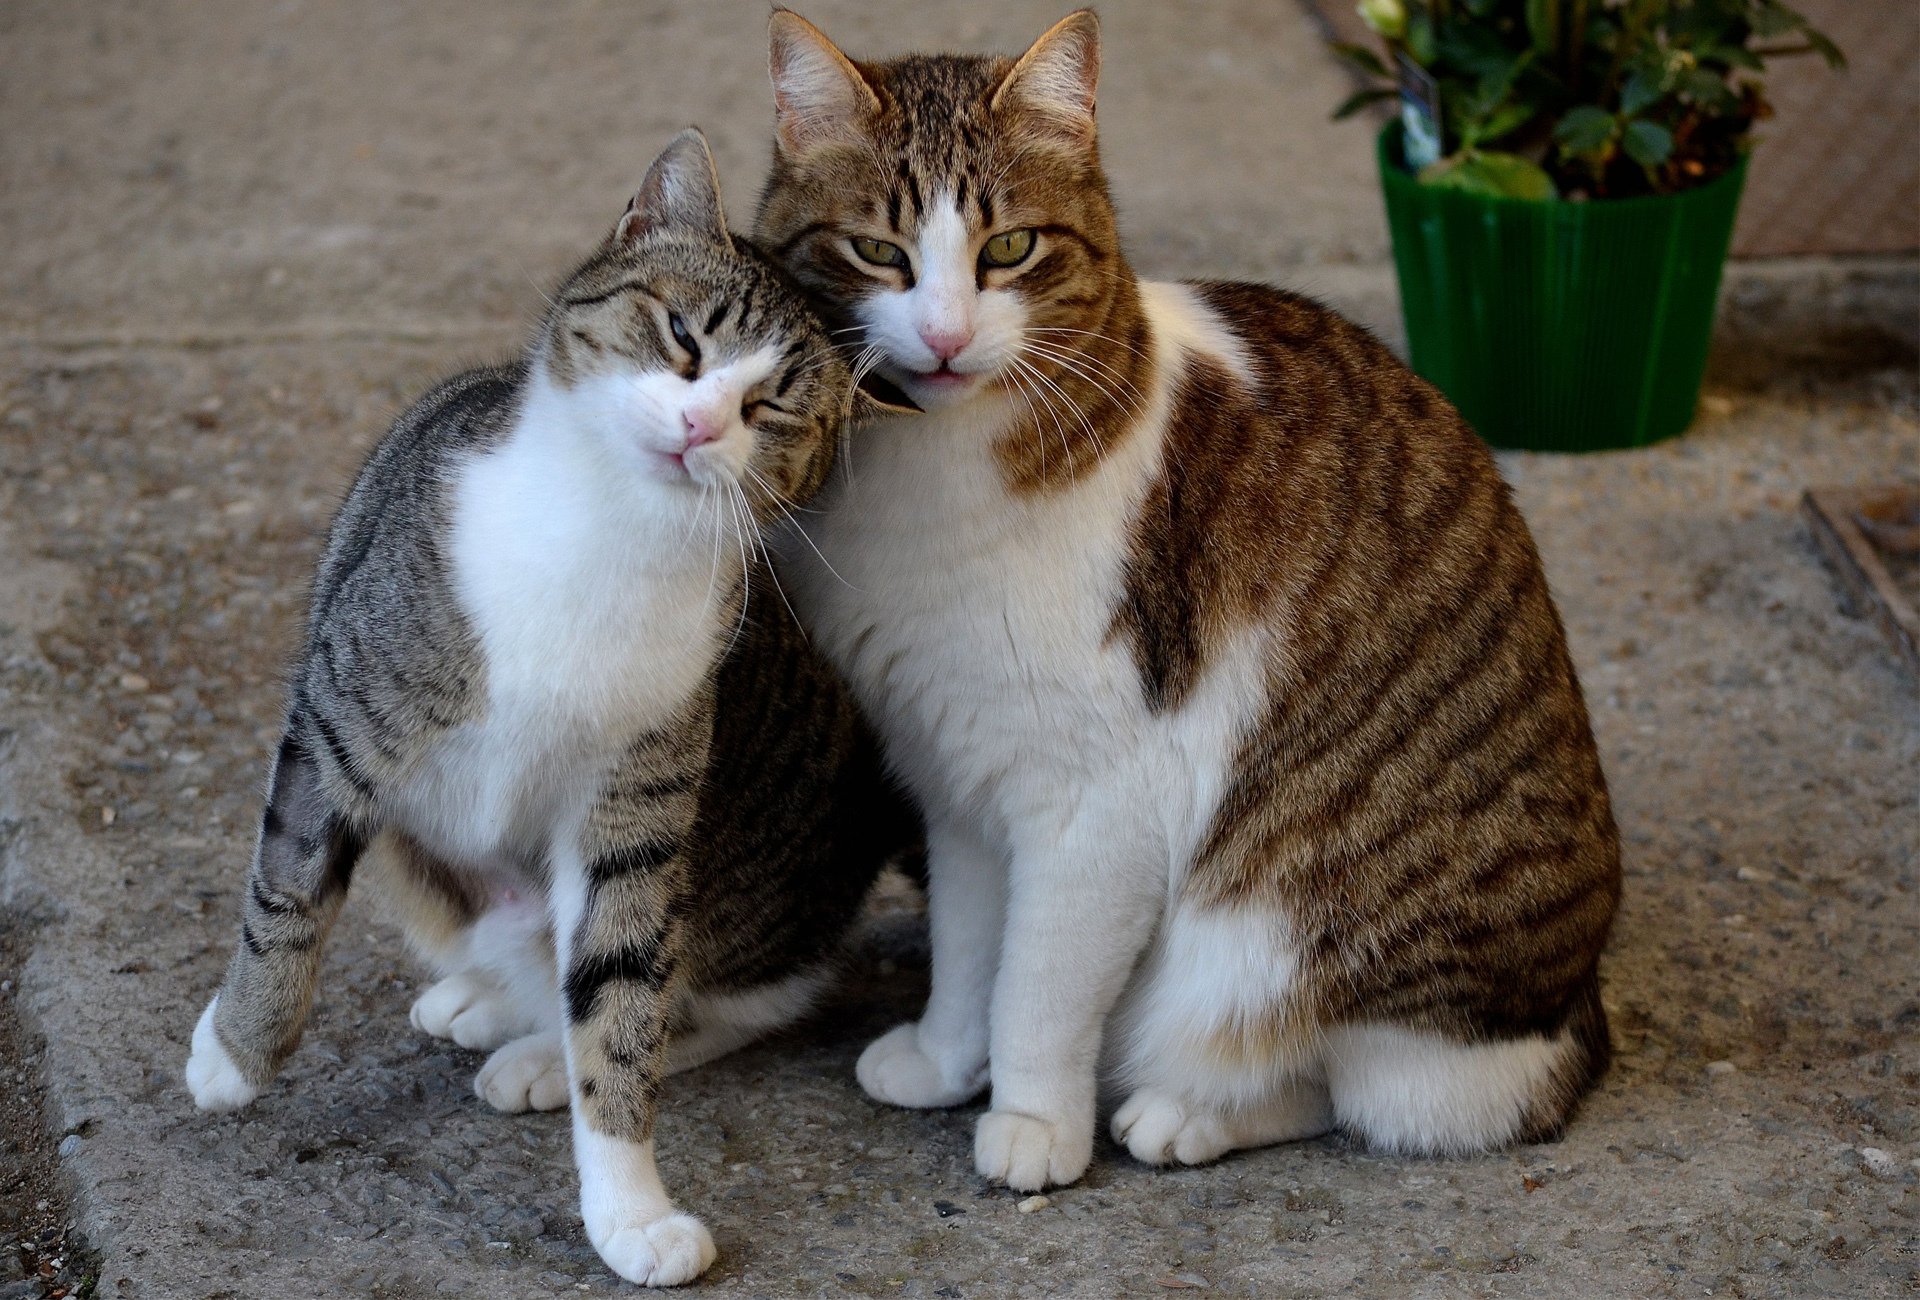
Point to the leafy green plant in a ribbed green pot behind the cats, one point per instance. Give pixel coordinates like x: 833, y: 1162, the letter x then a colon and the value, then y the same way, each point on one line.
x: 1562, y: 189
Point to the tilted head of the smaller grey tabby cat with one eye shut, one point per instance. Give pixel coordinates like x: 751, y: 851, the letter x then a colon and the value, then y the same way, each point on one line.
x: 690, y: 360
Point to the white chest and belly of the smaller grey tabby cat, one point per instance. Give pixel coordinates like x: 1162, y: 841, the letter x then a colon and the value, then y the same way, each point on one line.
x: 587, y: 642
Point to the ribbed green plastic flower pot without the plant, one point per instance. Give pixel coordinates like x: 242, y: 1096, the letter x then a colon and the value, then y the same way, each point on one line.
x: 1552, y: 325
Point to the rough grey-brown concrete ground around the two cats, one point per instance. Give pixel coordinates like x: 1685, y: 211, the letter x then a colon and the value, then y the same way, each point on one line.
x: 237, y: 239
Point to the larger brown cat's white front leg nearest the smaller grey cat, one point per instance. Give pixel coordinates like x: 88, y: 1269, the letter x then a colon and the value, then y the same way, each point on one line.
x: 942, y: 1059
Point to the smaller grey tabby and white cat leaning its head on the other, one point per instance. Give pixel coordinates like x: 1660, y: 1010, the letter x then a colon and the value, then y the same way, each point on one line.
x: 550, y: 675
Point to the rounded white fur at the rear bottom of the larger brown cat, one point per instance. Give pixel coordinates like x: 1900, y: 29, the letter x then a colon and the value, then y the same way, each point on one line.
x: 1424, y: 1094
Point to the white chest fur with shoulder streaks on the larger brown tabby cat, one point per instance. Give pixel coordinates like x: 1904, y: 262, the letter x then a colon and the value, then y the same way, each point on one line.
x: 978, y: 625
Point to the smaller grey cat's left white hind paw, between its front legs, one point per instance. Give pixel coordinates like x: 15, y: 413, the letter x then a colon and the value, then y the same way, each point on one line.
x: 502, y: 986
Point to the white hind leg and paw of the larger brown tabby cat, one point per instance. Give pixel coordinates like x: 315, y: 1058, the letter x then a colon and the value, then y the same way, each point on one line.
x: 1205, y: 1044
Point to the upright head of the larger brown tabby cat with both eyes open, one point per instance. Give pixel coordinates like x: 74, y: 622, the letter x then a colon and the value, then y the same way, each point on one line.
x: 953, y: 208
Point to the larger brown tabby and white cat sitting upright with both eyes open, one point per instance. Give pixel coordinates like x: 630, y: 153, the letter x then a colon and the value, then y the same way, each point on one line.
x: 1257, y: 775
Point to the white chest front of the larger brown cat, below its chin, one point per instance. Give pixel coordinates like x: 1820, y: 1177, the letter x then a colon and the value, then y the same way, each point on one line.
x: 974, y: 625
